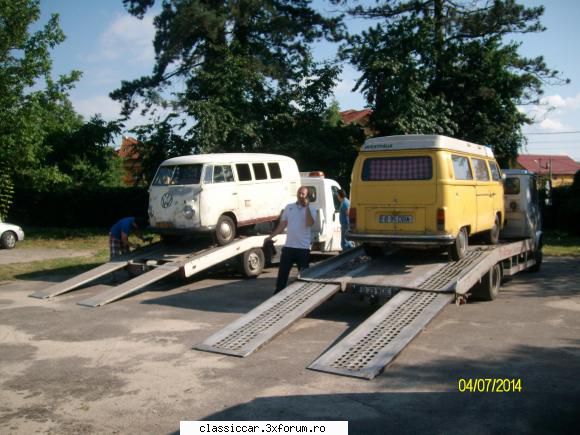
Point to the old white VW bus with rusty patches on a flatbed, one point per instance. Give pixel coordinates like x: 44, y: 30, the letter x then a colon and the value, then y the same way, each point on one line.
x: 219, y: 193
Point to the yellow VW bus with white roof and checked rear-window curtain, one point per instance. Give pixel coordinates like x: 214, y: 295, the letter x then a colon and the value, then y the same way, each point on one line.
x: 424, y: 190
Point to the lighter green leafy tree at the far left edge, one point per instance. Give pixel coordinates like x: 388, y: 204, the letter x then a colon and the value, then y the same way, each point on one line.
x: 26, y: 113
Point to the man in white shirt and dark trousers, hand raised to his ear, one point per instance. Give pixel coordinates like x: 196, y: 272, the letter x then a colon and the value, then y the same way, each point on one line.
x: 298, y: 217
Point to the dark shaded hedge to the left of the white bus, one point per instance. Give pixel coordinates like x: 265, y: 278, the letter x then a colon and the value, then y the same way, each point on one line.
x: 77, y: 207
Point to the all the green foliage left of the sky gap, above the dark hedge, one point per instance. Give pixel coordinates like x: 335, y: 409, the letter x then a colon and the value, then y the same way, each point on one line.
x: 44, y: 143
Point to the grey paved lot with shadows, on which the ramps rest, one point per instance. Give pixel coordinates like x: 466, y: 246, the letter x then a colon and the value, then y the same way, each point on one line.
x: 128, y: 367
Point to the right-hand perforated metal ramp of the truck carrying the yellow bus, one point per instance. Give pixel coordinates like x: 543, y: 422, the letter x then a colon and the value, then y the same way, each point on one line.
x: 366, y: 351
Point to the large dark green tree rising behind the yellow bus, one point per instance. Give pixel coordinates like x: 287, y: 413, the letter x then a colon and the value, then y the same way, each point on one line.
x: 442, y: 66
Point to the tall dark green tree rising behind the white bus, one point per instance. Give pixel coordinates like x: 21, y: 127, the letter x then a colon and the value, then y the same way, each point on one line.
x: 246, y: 68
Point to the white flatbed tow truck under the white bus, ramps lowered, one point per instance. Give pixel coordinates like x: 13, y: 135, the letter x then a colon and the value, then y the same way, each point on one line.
x: 153, y: 263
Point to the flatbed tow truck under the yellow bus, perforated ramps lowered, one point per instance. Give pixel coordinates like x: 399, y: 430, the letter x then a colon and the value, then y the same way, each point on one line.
x: 418, y: 286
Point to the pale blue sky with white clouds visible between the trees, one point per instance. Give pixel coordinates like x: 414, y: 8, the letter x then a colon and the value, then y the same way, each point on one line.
x: 109, y: 45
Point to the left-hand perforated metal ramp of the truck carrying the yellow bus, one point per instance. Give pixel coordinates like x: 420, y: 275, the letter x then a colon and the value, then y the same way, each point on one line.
x: 266, y: 321
